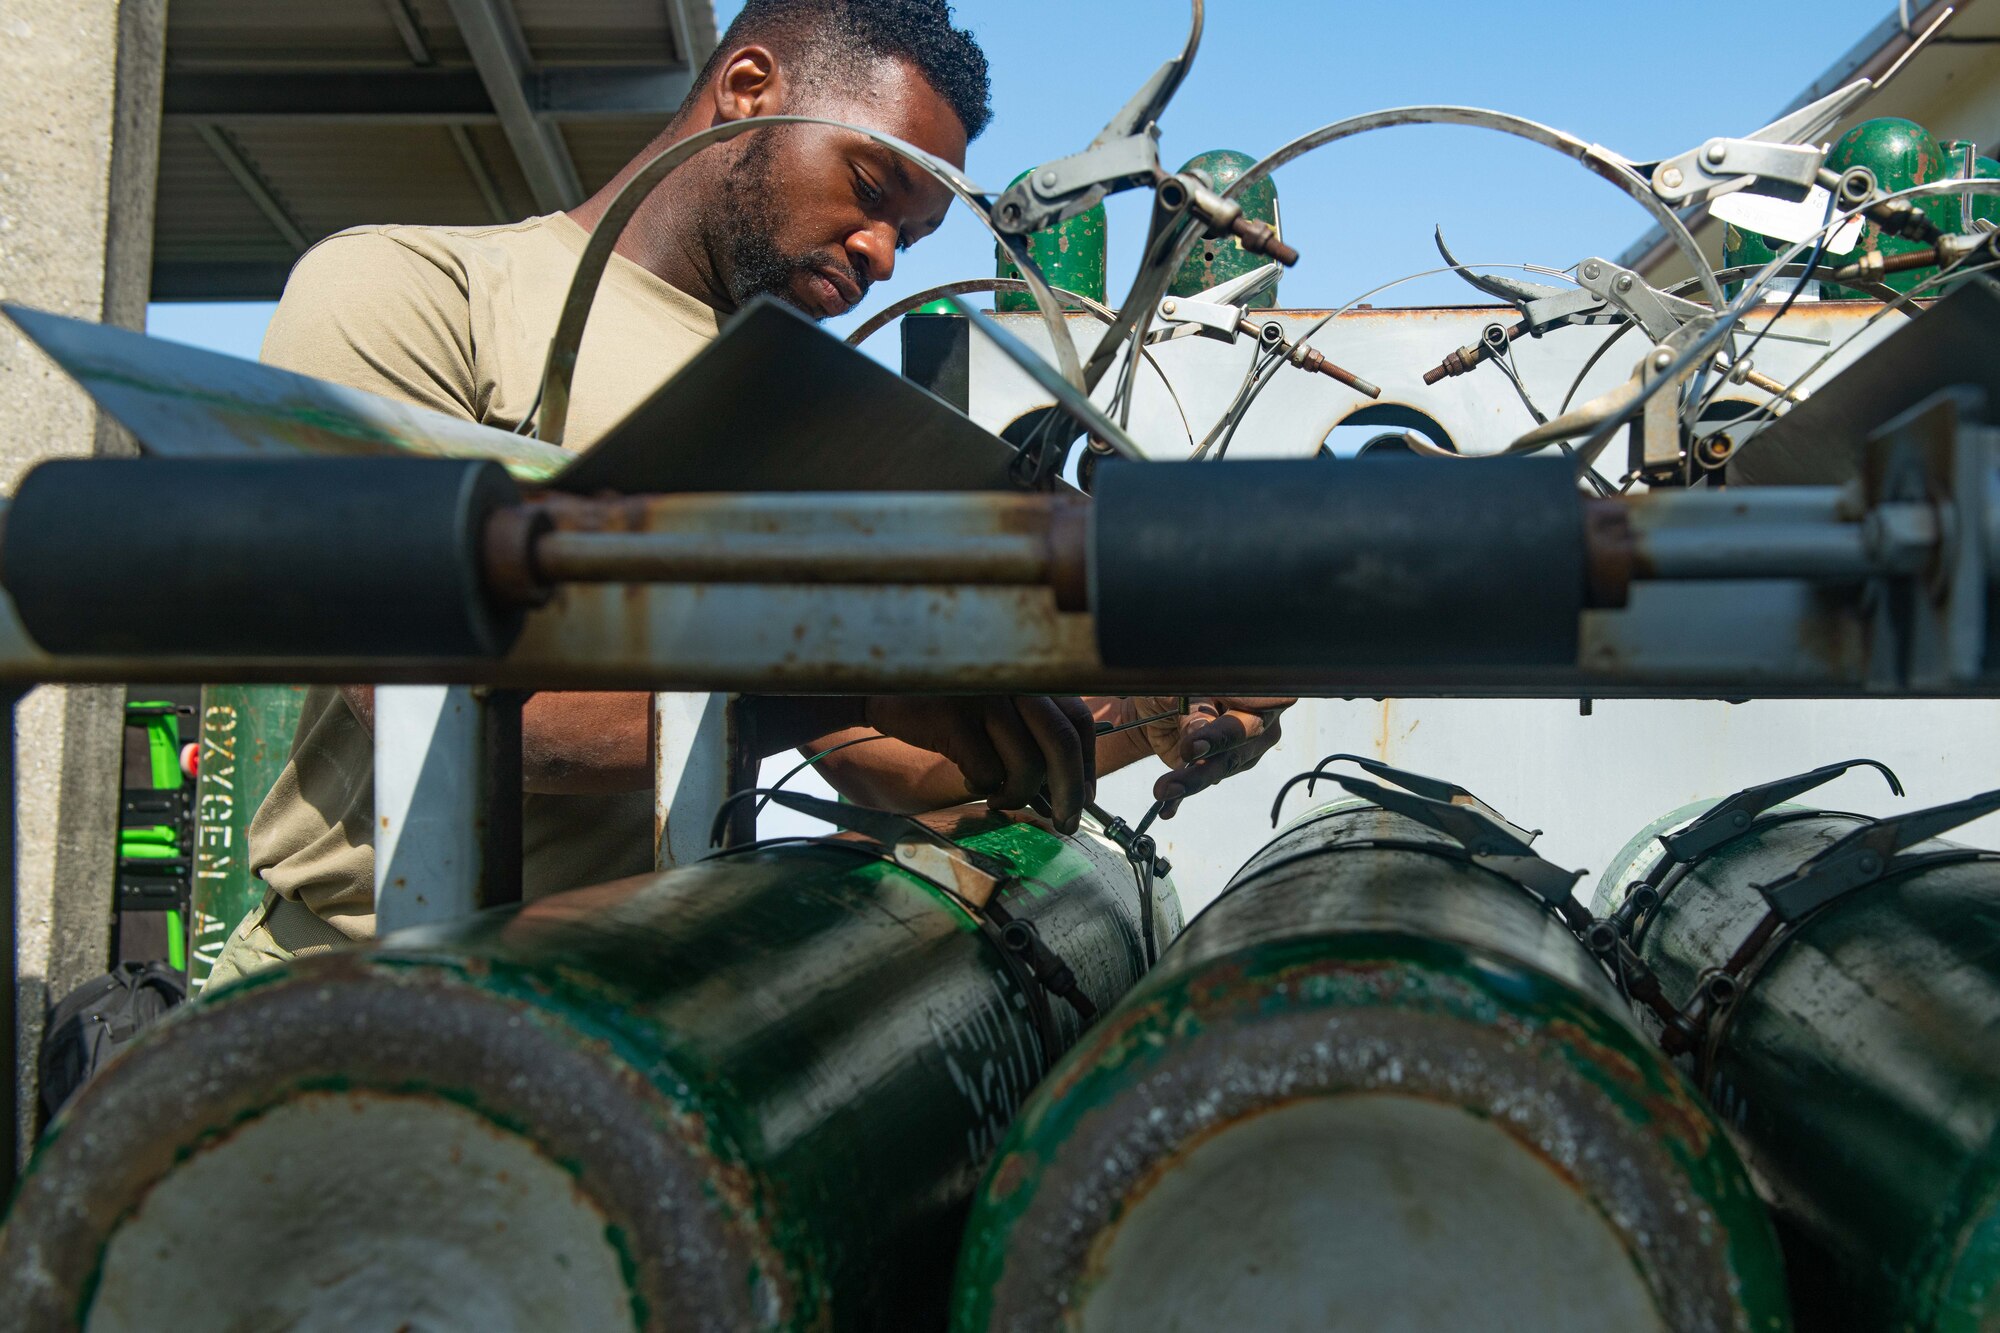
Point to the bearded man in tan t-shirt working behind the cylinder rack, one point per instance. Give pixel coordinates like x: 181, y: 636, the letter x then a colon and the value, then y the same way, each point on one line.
x: 459, y: 321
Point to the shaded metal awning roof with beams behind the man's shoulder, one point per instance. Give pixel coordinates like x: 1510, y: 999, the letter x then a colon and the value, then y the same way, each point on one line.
x: 287, y: 123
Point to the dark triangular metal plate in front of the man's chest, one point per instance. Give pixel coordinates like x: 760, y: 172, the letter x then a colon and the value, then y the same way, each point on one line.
x: 777, y: 403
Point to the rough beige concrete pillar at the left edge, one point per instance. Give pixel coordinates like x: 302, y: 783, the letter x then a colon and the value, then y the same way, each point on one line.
x: 79, y: 157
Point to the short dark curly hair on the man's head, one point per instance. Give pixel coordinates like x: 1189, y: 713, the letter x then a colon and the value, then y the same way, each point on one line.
x: 827, y: 39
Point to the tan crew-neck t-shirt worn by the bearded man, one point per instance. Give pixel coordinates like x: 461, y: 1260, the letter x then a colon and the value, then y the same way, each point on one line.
x: 457, y: 319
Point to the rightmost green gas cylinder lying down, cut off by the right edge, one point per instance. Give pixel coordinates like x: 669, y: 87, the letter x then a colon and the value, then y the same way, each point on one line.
x: 1853, y: 1052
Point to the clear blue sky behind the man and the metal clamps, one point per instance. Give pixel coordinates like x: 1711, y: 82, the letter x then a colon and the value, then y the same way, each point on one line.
x: 1643, y: 81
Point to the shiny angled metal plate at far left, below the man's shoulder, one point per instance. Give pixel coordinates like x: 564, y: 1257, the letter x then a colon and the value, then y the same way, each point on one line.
x: 185, y: 403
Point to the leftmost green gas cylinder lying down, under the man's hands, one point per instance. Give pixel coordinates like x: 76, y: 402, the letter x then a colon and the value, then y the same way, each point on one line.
x: 751, y: 1094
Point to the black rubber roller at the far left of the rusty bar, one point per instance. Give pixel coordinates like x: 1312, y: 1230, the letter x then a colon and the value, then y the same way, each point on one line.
x: 315, y: 557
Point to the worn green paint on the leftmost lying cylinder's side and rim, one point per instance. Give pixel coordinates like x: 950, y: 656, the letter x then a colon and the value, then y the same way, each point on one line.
x: 831, y: 1040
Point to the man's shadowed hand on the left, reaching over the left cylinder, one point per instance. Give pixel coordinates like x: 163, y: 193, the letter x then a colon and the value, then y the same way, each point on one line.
x: 1007, y: 748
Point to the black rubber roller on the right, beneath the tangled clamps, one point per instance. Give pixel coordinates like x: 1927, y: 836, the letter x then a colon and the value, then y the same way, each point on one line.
x: 1319, y: 563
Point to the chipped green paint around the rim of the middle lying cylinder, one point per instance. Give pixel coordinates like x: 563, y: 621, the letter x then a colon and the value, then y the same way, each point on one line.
x: 1225, y: 974
